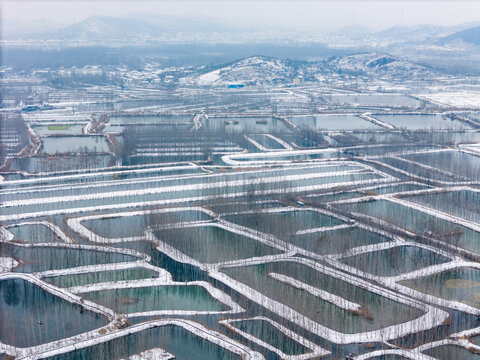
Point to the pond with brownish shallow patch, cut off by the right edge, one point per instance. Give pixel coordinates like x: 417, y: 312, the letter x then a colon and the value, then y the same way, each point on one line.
x: 459, y: 284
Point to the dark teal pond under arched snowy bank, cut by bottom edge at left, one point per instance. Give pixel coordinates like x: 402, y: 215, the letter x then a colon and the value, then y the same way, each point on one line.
x: 174, y: 339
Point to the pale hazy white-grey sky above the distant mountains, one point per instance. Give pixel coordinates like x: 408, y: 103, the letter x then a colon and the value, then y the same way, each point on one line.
x: 296, y: 14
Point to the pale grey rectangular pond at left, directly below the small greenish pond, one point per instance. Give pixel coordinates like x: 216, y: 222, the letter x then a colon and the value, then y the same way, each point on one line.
x: 74, y: 144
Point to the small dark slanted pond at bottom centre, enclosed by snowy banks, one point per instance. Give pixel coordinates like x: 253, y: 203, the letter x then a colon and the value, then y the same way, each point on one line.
x: 268, y: 333
